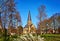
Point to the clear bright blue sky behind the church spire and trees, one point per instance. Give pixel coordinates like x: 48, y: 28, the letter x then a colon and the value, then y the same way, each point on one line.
x: 23, y: 6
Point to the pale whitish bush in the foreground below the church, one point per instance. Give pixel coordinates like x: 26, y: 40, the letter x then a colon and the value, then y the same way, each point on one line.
x: 30, y: 37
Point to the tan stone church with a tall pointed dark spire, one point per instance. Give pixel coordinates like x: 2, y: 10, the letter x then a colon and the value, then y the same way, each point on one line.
x: 29, y: 27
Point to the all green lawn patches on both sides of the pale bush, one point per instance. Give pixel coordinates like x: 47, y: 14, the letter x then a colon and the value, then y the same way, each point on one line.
x: 47, y: 37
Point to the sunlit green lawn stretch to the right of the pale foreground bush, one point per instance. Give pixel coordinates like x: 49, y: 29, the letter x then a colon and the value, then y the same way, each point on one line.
x: 51, y: 37
